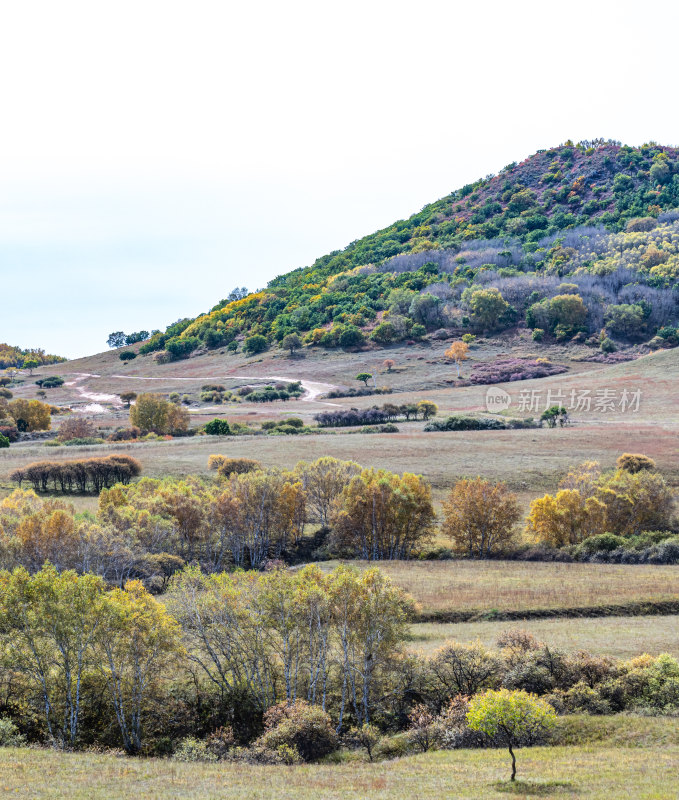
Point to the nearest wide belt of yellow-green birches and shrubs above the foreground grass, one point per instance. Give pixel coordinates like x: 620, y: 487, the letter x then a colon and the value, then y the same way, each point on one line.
x: 276, y: 666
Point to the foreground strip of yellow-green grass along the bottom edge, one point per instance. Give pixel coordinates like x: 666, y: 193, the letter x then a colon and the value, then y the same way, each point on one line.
x: 618, y: 757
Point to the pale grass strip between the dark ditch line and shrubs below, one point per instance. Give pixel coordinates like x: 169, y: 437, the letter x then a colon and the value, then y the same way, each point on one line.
x: 617, y: 637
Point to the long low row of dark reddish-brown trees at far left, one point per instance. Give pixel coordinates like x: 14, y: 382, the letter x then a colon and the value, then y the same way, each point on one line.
x: 78, y: 475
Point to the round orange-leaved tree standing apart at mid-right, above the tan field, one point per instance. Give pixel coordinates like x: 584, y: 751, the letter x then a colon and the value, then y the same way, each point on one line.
x: 480, y: 516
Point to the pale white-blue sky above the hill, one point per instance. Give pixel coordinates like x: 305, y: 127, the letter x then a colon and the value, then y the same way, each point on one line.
x: 153, y: 155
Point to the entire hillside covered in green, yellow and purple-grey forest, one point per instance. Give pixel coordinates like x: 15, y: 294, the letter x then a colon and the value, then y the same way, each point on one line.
x: 486, y: 257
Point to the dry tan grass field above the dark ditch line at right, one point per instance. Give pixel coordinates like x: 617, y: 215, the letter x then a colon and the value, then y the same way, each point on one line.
x: 520, y: 585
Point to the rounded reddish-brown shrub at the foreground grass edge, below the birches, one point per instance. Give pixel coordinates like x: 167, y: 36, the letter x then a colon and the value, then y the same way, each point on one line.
x: 306, y: 729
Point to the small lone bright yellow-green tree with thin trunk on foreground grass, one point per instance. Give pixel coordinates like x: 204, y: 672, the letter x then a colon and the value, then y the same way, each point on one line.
x: 514, y: 717
